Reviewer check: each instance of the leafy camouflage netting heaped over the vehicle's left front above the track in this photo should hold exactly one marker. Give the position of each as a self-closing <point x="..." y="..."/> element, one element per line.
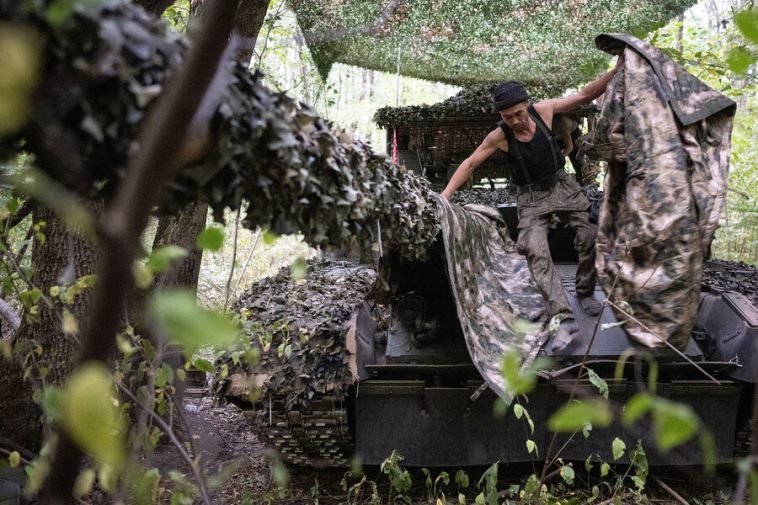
<point x="300" y="327"/>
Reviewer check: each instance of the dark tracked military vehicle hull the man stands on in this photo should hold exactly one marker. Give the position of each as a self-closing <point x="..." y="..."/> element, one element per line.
<point x="412" y="386"/>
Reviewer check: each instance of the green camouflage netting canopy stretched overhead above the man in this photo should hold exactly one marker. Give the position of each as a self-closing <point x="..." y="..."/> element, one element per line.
<point x="541" y="43"/>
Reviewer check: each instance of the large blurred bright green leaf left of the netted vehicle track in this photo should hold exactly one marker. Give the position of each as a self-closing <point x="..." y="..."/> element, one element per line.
<point x="188" y="325"/>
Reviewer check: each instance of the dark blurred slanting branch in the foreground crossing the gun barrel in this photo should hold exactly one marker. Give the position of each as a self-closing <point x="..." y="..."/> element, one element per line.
<point x="160" y="141"/>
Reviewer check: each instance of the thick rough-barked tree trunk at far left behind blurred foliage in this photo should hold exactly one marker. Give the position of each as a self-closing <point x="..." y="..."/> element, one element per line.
<point x="58" y="260"/>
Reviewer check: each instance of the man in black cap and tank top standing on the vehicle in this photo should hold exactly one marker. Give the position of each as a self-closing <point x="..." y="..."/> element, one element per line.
<point x="535" y="163"/>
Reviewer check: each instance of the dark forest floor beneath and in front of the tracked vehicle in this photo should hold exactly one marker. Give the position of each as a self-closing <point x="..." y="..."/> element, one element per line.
<point x="222" y="436"/>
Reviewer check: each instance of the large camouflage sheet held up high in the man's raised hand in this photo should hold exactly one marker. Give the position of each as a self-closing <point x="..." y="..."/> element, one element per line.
<point x="666" y="138"/>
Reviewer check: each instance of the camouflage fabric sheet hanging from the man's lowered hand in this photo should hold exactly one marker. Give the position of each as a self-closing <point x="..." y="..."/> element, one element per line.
<point x="492" y="288"/>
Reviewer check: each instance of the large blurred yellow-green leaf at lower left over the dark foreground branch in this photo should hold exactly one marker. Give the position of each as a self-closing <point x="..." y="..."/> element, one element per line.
<point x="90" y="417"/>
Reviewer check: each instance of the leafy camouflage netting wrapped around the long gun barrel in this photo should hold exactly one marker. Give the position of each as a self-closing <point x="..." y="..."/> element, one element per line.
<point x="104" y="66"/>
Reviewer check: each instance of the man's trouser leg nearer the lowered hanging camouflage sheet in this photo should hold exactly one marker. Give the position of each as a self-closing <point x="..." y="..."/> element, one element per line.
<point x="532" y="243"/>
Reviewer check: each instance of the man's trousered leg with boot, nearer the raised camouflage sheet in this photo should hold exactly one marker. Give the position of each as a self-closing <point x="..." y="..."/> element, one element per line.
<point x="586" y="273"/>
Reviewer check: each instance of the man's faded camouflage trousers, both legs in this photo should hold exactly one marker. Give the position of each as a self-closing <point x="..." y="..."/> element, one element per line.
<point x="532" y="243"/>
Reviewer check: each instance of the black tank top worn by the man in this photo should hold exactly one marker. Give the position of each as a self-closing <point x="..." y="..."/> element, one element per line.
<point x="541" y="155"/>
